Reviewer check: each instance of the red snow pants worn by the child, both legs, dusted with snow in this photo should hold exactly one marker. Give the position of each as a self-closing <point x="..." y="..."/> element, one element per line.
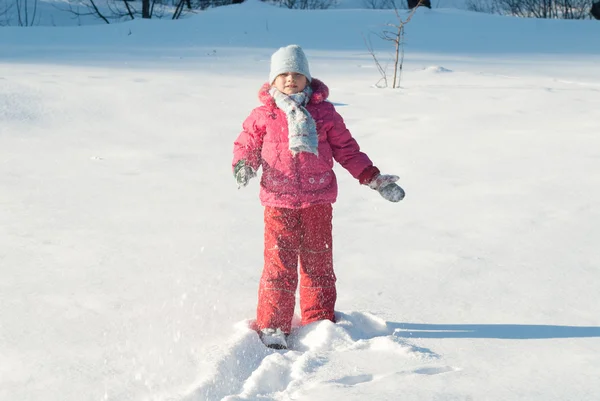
<point x="297" y="237"/>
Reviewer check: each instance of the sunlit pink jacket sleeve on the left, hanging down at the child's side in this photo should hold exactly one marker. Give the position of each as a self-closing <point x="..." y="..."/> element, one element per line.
<point x="248" y="145"/>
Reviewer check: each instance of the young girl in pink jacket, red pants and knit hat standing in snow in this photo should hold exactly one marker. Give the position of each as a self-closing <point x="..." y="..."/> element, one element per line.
<point x="295" y="136"/>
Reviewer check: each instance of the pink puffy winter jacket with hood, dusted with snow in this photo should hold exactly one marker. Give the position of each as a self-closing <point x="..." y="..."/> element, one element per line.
<point x="306" y="179"/>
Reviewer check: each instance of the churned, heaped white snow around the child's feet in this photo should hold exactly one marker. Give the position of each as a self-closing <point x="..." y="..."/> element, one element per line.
<point x="325" y="357"/>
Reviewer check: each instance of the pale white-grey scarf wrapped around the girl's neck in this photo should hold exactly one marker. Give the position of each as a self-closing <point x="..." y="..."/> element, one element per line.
<point x="302" y="129"/>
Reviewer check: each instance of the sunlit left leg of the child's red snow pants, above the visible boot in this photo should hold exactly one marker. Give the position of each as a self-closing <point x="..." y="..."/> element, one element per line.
<point x="277" y="290"/>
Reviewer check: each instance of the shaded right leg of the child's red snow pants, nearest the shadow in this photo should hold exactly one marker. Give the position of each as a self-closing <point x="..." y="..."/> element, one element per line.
<point x="317" y="279"/>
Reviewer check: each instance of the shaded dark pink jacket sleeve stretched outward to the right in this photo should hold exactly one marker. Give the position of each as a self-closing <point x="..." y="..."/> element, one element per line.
<point x="345" y="148"/>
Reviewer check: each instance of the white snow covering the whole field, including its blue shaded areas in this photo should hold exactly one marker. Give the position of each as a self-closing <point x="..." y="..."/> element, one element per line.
<point x="129" y="260"/>
